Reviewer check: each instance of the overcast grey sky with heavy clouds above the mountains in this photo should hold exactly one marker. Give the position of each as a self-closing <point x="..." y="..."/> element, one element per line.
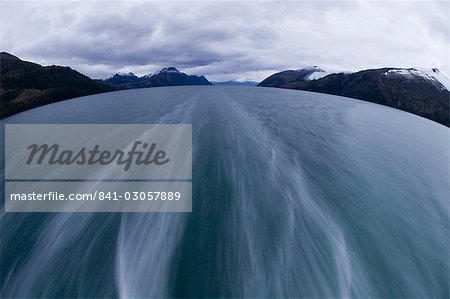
<point x="227" y="40"/>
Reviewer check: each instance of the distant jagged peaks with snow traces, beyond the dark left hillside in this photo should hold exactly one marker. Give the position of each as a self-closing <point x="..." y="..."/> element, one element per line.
<point x="169" y="76"/>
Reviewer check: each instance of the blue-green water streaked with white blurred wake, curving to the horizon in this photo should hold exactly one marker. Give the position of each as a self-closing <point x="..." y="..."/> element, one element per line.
<point x="295" y="194"/>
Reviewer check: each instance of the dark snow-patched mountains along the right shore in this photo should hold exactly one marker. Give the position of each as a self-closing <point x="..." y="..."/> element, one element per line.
<point x="417" y="91"/>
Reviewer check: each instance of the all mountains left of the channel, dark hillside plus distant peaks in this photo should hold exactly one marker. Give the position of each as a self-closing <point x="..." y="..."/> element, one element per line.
<point x="25" y="85"/>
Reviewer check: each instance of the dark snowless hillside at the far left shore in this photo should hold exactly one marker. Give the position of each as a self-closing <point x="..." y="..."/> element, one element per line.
<point x="25" y="85"/>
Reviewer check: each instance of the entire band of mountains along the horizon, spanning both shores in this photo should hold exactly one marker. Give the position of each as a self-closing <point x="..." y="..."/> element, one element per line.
<point x="25" y="85"/>
